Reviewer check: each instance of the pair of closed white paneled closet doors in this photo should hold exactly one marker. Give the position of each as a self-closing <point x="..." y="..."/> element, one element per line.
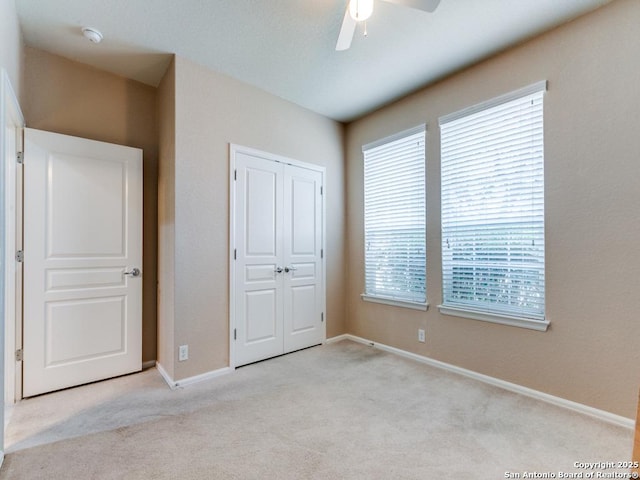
<point x="278" y="277"/>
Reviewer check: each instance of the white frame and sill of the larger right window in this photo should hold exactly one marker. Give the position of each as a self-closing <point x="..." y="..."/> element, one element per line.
<point x="467" y="310"/>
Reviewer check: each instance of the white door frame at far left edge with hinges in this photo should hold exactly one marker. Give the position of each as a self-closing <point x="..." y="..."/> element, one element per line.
<point x="10" y="382"/>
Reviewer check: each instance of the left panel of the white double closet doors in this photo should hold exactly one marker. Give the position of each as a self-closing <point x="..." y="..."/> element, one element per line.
<point x="258" y="263"/>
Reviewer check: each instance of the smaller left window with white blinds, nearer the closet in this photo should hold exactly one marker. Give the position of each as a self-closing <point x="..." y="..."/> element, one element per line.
<point x="394" y="219"/>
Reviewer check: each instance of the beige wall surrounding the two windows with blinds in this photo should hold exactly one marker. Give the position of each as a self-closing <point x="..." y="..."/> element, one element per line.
<point x="592" y="169"/>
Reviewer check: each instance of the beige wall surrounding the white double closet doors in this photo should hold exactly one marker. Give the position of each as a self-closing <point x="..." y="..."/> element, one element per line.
<point x="212" y="111"/>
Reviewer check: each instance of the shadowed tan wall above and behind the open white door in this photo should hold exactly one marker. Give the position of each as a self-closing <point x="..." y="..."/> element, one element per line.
<point x="71" y="98"/>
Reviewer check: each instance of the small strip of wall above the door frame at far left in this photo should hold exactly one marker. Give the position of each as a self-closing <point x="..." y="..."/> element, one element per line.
<point x="11" y="44"/>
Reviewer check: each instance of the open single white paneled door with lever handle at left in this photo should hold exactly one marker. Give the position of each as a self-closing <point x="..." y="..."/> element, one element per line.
<point x="82" y="260"/>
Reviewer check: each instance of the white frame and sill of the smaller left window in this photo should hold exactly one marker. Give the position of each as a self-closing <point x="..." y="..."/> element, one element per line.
<point x="370" y="296"/>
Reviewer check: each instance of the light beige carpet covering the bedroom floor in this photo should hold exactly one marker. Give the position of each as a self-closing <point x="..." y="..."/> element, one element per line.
<point x="337" y="411"/>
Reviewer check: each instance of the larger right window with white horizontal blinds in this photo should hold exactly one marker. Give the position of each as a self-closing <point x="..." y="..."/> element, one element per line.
<point x="492" y="188"/>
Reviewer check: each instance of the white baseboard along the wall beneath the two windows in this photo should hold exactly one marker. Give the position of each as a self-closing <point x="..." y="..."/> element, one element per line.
<point x="496" y="382"/>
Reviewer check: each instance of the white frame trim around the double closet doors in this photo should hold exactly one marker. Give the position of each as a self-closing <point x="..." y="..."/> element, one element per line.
<point x="235" y="149"/>
